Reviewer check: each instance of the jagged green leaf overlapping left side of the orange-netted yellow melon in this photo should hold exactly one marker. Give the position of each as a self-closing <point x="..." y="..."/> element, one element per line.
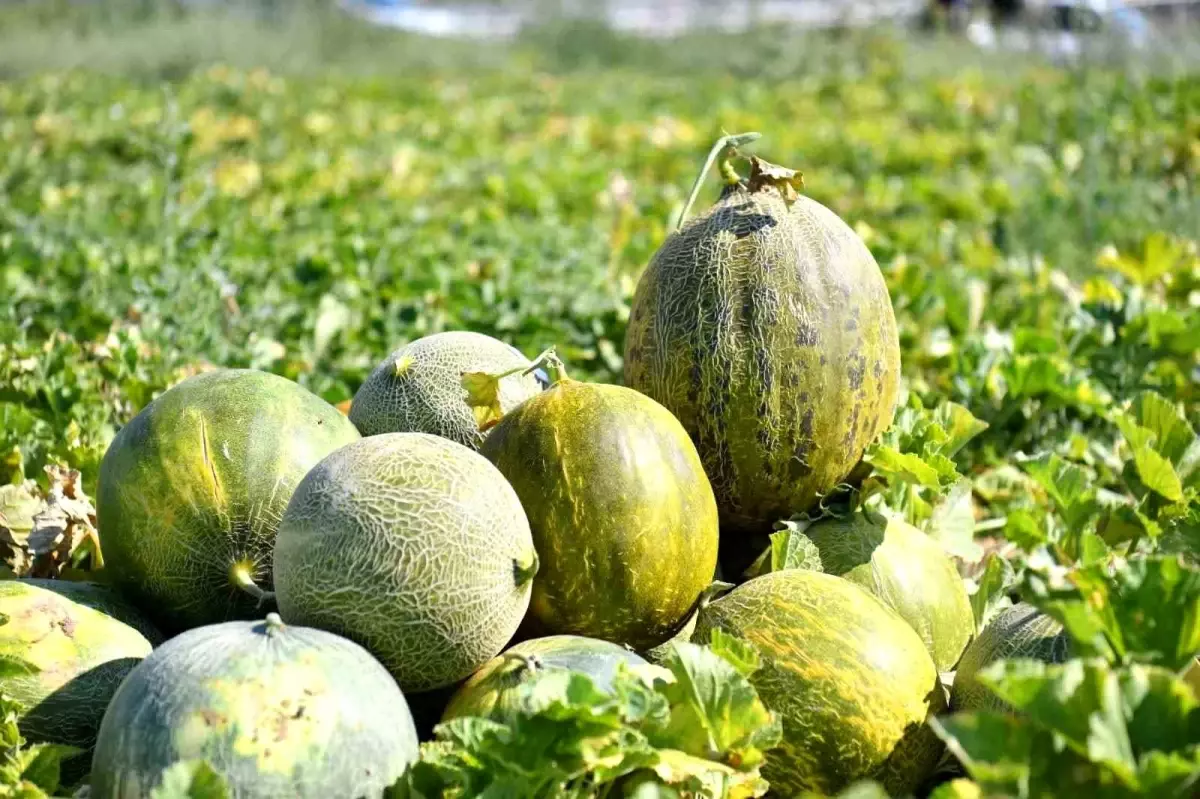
<point x="715" y="710"/>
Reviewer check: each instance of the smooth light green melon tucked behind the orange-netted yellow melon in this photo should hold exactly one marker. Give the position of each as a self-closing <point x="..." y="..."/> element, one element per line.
<point x="905" y="569"/>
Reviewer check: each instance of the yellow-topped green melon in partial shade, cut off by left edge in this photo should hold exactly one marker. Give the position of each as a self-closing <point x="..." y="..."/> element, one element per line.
<point x="83" y="639"/>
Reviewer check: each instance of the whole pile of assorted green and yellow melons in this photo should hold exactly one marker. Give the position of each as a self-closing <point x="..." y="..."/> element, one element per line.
<point x="479" y="516"/>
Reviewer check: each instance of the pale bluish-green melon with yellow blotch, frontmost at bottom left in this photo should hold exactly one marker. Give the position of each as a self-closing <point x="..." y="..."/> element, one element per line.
<point x="277" y="711"/>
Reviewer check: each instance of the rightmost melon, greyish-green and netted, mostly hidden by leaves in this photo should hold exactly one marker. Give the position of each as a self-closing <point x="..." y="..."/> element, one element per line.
<point x="1017" y="632"/>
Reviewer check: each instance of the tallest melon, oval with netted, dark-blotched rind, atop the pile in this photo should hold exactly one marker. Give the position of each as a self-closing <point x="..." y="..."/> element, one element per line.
<point x="769" y="332"/>
